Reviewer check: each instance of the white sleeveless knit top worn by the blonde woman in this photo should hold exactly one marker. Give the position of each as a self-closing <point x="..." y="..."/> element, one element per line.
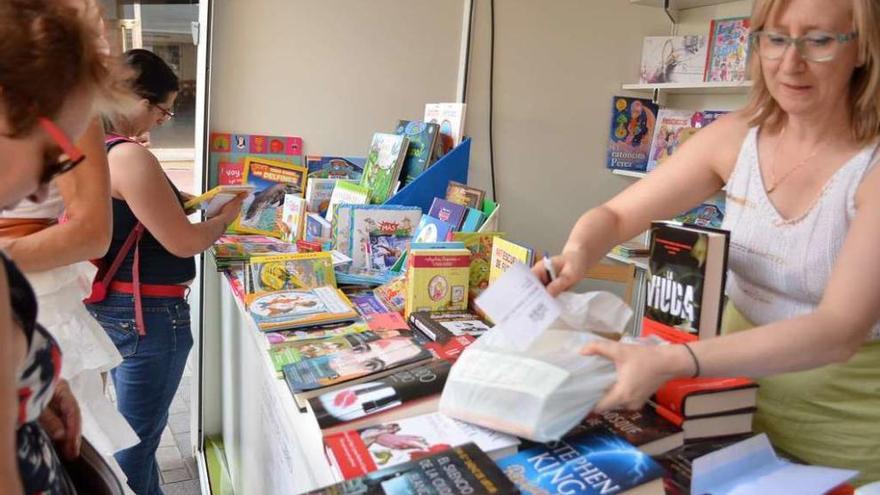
<point x="778" y="268"/>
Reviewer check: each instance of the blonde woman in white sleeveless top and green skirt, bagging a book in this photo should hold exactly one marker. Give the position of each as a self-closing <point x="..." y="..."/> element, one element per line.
<point x="803" y="208"/>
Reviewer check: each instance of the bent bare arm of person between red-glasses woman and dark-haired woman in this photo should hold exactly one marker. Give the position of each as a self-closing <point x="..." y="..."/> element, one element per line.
<point x="86" y="194"/>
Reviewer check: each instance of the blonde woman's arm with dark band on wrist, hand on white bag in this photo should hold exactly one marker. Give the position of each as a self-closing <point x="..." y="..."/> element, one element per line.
<point x="832" y="333"/>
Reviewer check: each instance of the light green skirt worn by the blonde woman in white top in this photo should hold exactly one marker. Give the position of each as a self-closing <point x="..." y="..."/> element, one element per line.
<point x="826" y="416"/>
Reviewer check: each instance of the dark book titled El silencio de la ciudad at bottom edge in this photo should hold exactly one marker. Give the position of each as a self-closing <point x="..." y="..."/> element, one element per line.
<point x="464" y="470"/>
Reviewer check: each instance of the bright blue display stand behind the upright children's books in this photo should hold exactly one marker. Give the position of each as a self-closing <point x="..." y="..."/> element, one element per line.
<point x="432" y="182"/>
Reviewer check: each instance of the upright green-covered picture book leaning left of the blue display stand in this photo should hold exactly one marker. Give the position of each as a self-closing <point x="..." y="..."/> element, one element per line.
<point x="384" y="162"/>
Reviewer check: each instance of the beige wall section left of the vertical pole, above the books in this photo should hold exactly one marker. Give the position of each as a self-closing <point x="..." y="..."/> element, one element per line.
<point x="331" y="71"/>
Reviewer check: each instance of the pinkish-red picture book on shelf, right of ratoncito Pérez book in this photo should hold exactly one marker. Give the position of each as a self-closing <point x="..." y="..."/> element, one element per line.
<point x="673" y="128"/>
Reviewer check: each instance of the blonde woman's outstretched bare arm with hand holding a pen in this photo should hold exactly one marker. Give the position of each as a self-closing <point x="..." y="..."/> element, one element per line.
<point x="697" y="171"/>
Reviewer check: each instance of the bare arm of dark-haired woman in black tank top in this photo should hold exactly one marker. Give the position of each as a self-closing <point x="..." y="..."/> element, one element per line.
<point x="137" y="178"/>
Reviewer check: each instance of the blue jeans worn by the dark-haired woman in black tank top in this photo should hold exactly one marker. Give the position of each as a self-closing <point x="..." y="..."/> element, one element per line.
<point x="149" y="375"/>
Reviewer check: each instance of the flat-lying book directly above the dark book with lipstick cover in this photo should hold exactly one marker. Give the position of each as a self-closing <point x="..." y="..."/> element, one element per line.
<point x="354" y="358"/>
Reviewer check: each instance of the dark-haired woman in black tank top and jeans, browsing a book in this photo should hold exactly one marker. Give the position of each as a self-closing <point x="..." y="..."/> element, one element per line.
<point x="146" y="313"/>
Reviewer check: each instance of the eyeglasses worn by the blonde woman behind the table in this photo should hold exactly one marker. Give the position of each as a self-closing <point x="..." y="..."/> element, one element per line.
<point x="815" y="46"/>
